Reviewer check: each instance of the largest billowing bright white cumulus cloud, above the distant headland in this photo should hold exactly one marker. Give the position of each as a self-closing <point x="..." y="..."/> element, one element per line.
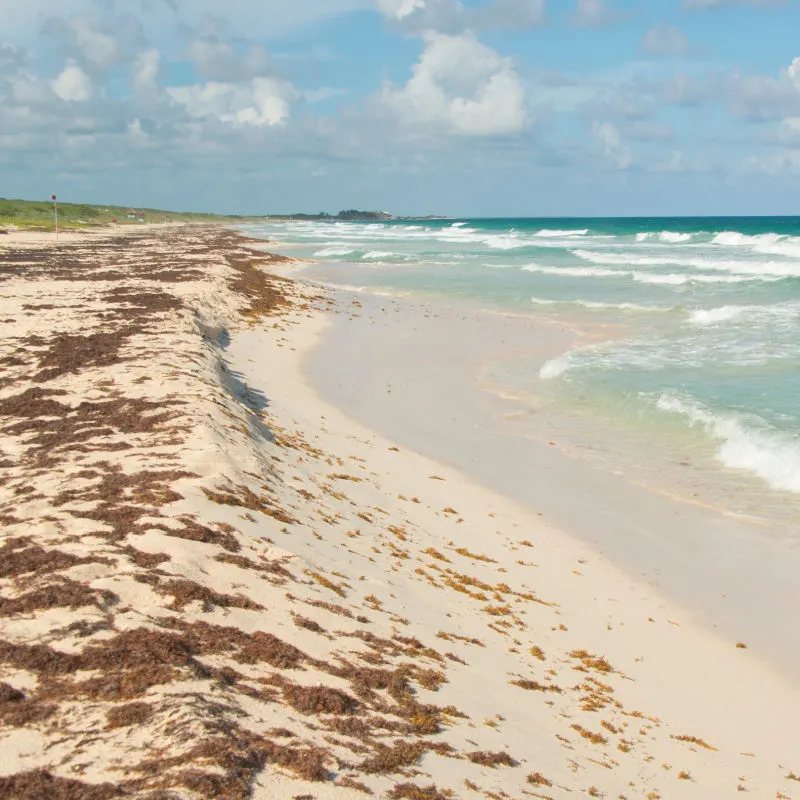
<point x="459" y="86"/>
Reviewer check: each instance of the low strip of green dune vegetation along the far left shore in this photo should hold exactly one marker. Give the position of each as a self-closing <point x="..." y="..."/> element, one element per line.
<point x="39" y="215"/>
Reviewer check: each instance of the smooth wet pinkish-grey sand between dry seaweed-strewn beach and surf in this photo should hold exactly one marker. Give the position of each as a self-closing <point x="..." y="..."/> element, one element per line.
<point x="730" y="571"/>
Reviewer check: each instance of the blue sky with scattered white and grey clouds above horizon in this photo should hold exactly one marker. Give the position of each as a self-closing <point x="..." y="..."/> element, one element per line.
<point x="452" y="107"/>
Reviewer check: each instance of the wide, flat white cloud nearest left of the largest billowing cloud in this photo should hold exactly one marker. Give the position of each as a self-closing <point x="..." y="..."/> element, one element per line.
<point x="260" y="102"/>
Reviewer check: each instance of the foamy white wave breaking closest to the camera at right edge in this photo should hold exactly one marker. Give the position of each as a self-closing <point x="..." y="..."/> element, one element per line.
<point x="746" y="443"/>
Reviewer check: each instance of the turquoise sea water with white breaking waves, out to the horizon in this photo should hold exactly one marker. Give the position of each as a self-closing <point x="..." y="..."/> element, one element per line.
<point x="705" y="314"/>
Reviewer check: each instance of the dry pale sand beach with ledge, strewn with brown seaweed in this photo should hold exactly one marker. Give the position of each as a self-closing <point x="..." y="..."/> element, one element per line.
<point x="213" y="584"/>
